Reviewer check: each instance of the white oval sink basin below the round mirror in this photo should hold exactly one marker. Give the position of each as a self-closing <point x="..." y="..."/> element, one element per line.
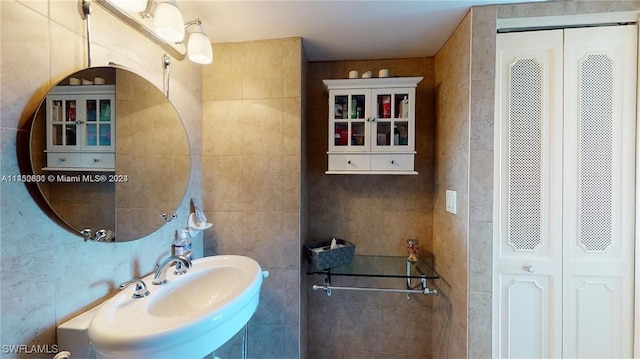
<point x="190" y="316"/>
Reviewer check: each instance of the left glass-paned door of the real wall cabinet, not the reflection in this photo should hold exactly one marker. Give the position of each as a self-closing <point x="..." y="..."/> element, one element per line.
<point x="349" y="122"/>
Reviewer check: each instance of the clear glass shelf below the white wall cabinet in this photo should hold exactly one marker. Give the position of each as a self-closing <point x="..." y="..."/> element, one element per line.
<point x="380" y="266"/>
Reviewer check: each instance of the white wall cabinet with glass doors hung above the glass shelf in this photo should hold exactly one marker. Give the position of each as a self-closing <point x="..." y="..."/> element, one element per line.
<point x="372" y="125"/>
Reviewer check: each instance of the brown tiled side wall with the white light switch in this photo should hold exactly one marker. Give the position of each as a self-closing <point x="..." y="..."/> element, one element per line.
<point x="450" y="240"/>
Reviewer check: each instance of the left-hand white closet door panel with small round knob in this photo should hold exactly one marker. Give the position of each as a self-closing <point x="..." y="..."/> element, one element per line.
<point x="528" y="255"/>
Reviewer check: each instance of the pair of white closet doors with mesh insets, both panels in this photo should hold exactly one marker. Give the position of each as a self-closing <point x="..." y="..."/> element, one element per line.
<point x="563" y="259"/>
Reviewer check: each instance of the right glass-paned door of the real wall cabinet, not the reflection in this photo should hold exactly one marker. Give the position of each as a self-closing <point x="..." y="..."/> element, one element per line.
<point x="391" y="130"/>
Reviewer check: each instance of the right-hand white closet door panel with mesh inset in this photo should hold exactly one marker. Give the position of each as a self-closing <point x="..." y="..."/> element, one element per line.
<point x="599" y="191"/>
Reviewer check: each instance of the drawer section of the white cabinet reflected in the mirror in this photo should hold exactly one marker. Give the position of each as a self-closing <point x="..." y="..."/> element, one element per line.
<point x="81" y="161"/>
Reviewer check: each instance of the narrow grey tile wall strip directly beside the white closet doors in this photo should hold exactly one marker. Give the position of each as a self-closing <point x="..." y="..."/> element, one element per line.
<point x="481" y="179"/>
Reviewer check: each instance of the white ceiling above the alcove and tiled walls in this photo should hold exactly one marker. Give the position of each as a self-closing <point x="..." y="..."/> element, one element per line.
<point x="337" y="30"/>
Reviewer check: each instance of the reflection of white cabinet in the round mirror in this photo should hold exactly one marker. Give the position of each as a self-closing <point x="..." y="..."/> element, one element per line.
<point x="80" y="127"/>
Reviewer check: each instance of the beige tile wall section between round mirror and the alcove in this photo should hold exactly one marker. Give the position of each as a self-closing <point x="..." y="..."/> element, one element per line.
<point x="252" y="153"/>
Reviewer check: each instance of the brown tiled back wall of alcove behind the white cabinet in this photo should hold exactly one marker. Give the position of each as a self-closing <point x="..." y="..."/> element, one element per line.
<point x="377" y="213"/>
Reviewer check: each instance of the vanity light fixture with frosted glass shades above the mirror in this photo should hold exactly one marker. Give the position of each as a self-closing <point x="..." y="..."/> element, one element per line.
<point x="162" y="22"/>
